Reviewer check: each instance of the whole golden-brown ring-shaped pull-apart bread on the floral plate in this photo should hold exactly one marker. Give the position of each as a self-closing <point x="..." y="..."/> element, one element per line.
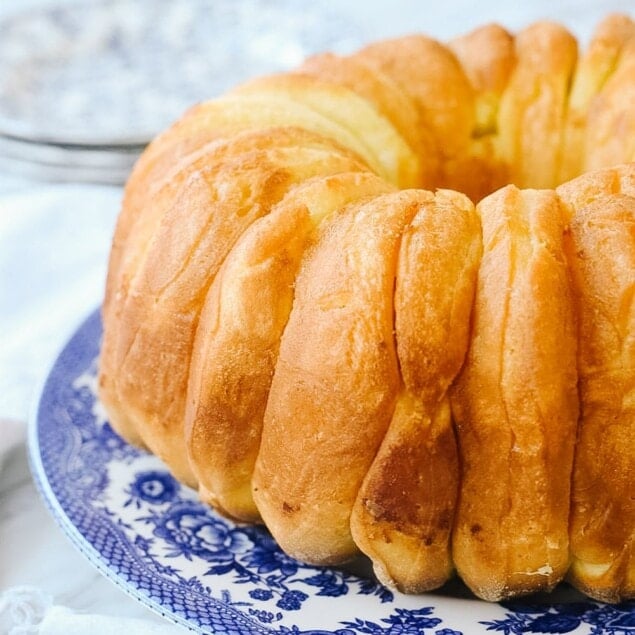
<point x="444" y="381"/>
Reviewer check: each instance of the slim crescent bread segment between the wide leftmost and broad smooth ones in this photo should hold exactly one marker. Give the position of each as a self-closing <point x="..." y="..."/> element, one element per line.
<point x="237" y="340"/>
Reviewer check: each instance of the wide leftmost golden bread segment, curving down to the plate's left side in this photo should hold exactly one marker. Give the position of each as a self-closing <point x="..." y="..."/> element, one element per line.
<point x="154" y="331"/>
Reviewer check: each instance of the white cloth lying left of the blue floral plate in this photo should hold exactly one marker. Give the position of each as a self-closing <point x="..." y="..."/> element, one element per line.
<point x="54" y="244"/>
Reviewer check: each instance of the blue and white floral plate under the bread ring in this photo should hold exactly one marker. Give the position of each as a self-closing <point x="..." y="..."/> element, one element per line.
<point x="151" y="536"/>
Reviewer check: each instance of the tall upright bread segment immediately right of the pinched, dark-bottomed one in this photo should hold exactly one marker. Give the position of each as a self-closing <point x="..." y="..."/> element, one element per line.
<point x="515" y="403"/>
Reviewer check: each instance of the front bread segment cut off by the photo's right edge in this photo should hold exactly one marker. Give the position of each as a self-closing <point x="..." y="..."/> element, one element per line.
<point x="601" y="252"/>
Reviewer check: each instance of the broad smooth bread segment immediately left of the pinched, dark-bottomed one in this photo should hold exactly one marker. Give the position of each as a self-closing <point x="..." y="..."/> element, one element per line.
<point x="335" y="383"/>
